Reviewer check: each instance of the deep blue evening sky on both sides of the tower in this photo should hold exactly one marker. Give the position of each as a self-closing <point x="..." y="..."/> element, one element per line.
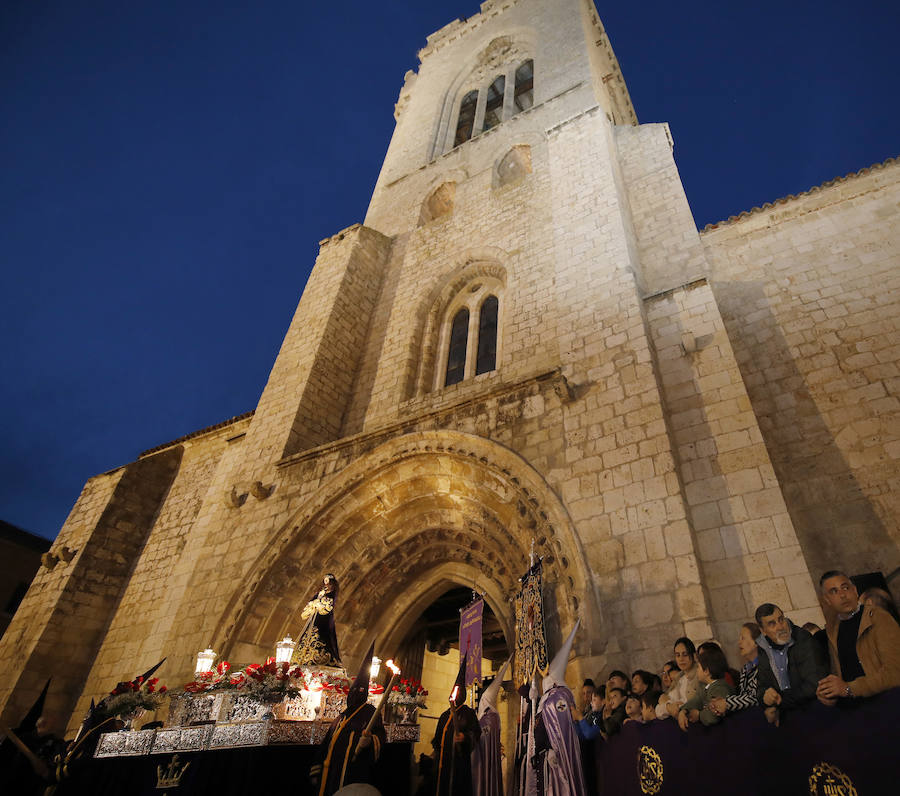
<point x="168" y="168"/>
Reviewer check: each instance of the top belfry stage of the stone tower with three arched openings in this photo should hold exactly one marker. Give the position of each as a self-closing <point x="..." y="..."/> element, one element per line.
<point x="480" y="73"/>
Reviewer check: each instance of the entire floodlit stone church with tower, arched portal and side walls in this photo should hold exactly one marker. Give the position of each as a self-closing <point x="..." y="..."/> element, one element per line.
<point x="526" y="340"/>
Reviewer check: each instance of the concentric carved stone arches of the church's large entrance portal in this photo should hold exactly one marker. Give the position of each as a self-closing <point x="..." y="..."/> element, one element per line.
<point x="421" y="511"/>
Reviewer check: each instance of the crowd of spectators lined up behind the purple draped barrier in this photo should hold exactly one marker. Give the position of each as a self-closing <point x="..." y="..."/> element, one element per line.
<point x="782" y="667"/>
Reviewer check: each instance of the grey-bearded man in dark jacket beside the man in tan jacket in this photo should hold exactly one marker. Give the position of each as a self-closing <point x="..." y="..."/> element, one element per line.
<point x="791" y="663"/>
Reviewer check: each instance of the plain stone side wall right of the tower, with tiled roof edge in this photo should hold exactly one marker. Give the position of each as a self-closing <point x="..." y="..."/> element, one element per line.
<point x="809" y="290"/>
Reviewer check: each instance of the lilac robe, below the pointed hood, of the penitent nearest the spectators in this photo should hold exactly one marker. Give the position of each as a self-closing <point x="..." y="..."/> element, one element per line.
<point x="564" y="776"/>
